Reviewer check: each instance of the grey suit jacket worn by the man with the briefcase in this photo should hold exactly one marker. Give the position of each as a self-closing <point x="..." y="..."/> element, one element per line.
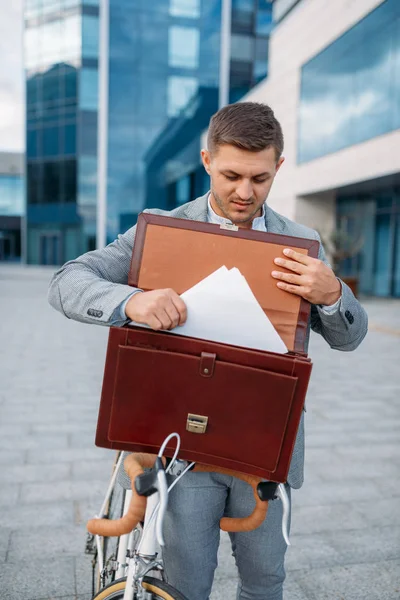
<point x="92" y="287"/>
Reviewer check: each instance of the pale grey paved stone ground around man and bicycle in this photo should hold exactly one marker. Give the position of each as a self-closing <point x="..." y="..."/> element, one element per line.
<point x="346" y="518"/>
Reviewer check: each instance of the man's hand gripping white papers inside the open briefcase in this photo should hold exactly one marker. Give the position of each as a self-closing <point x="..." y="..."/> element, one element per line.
<point x="159" y="309"/>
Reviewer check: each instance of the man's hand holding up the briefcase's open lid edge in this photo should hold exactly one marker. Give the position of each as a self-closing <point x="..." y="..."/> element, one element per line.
<point x="311" y="279"/>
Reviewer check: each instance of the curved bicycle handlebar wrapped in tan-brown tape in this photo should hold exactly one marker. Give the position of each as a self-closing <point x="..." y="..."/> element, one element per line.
<point x="136" y="463"/>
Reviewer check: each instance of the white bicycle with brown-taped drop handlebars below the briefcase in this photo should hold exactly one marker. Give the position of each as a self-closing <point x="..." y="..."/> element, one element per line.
<point x="129" y="566"/>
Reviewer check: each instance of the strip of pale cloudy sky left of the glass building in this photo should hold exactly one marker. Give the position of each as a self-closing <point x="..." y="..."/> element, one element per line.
<point x="12" y="94"/>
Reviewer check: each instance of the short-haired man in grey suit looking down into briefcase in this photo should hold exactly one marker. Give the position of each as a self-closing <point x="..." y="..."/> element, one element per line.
<point x="245" y="145"/>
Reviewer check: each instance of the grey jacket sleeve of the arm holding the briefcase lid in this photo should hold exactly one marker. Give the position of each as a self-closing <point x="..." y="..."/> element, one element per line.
<point x="346" y="328"/>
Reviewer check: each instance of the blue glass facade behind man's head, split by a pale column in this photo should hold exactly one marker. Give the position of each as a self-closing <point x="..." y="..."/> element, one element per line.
<point x="164" y="77"/>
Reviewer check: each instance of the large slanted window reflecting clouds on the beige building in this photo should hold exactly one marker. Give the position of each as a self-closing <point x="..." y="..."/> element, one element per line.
<point x="350" y="92"/>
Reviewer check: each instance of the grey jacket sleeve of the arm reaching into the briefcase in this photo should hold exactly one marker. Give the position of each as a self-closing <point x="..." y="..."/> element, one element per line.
<point x="92" y="287"/>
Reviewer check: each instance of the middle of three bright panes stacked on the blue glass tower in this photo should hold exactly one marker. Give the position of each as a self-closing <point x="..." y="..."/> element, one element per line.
<point x="184" y="47"/>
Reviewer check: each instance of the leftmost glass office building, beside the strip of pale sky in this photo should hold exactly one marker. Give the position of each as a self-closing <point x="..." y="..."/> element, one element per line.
<point x="61" y="63"/>
